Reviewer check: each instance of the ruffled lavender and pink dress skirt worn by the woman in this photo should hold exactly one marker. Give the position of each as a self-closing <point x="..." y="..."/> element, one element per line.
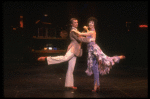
<point x="107" y="62"/>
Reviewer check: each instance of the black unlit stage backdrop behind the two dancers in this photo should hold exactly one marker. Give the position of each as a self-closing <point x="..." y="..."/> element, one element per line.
<point x="112" y="34"/>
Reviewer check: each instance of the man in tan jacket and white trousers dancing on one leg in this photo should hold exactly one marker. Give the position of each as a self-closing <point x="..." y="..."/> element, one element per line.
<point x="74" y="50"/>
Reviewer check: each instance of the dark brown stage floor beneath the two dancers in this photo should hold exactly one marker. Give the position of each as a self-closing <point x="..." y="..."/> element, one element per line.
<point x="38" y="80"/>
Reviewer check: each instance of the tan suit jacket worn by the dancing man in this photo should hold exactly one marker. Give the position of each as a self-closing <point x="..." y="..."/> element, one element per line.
<point x="75" y="44"/>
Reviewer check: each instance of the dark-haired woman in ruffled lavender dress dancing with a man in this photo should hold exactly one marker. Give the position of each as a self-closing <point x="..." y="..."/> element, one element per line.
<point x="97" y="61"/>
